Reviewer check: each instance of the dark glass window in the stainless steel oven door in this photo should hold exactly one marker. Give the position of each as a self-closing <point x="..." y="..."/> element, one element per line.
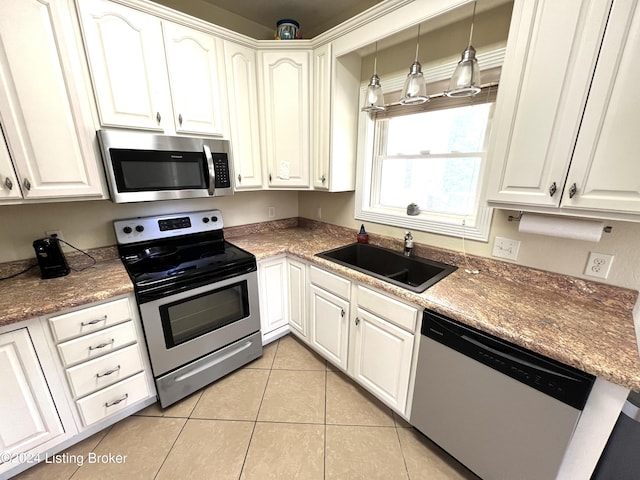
<point x="195" y="316"/>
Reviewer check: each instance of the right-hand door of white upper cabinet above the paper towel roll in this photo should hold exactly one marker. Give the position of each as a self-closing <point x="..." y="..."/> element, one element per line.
<point x="605" y="167"/>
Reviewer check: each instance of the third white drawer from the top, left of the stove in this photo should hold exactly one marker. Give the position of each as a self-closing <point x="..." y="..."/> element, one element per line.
<point x="107" y="370"/>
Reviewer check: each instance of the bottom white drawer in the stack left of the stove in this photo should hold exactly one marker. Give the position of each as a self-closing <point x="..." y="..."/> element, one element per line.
<point x="112" y="399"/>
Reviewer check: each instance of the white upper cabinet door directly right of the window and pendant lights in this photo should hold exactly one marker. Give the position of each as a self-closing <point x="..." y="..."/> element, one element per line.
<point x="550" y="59"/>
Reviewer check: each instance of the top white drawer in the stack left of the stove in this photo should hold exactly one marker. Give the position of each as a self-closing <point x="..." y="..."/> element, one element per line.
<point x="89" y="319"/>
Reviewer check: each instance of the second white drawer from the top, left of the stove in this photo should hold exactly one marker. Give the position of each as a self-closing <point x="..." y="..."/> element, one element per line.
<point x="97" y="344"/>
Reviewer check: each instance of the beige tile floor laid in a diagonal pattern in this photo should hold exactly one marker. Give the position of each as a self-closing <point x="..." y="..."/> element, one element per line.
<point x="287" y="415"/>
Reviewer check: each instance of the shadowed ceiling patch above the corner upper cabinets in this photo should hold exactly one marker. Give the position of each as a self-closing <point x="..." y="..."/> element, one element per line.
<point x="314" y="17"/>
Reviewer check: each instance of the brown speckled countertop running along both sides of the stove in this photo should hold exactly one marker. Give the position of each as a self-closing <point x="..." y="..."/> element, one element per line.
<point x="584" y="324"/>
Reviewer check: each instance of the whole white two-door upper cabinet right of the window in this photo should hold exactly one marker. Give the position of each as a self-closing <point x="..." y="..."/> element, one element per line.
<point x="566" y="124"/>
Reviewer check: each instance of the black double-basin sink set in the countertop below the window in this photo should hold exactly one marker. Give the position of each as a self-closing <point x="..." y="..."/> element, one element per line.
<point x="413" y="273"/>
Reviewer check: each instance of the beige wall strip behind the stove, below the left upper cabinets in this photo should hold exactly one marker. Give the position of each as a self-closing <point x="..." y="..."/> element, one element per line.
<point x="90" y="224"/>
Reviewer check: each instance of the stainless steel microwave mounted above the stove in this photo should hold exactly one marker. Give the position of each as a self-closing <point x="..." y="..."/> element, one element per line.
<point x="142" y="167"/>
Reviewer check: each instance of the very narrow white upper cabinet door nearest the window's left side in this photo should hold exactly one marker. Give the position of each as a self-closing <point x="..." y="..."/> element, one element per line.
<point x="321" y="117"/>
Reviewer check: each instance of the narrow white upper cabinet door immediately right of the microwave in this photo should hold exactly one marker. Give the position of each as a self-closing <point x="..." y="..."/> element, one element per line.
<point x="242" y="89"/>
